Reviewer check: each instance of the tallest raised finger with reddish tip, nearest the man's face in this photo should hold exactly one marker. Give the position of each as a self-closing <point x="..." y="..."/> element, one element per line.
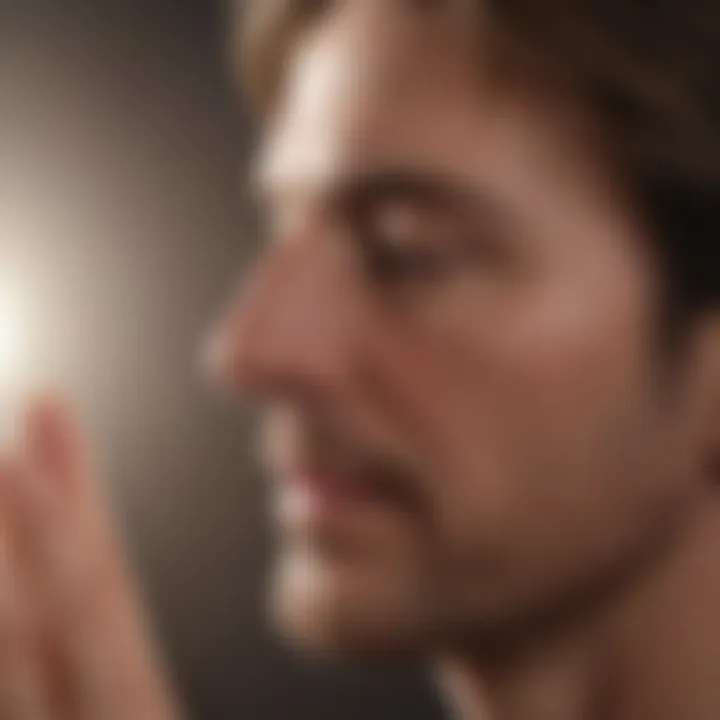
<point x="77" y="569"/>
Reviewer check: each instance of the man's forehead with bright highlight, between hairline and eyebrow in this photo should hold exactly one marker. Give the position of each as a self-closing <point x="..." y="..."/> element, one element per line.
<point x="380" y="84"/>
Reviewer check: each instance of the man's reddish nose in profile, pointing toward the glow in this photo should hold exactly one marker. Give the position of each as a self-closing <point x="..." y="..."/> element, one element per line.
<point x="290" y="331"/>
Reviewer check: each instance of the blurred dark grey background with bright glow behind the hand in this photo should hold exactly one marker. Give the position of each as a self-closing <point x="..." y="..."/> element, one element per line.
<point x="122" y="232"/>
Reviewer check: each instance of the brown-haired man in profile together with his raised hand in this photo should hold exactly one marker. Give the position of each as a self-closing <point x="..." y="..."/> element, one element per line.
<point x="484" y="331"/>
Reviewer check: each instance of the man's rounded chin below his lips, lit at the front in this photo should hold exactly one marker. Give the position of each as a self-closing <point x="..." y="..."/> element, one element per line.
<point x="343" y="610"/>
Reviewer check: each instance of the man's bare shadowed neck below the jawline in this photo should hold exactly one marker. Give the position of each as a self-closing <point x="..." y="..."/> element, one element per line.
<point x="653" y="651"/>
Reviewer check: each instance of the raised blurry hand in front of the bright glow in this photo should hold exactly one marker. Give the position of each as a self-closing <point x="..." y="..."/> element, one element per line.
<point x="72" y="640"/>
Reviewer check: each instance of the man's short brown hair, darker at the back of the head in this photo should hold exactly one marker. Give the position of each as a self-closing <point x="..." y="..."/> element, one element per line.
<point x="648" y="69"/>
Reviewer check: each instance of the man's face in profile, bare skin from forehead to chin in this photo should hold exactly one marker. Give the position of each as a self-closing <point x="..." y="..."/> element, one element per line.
<point x="451" y="331"/>
